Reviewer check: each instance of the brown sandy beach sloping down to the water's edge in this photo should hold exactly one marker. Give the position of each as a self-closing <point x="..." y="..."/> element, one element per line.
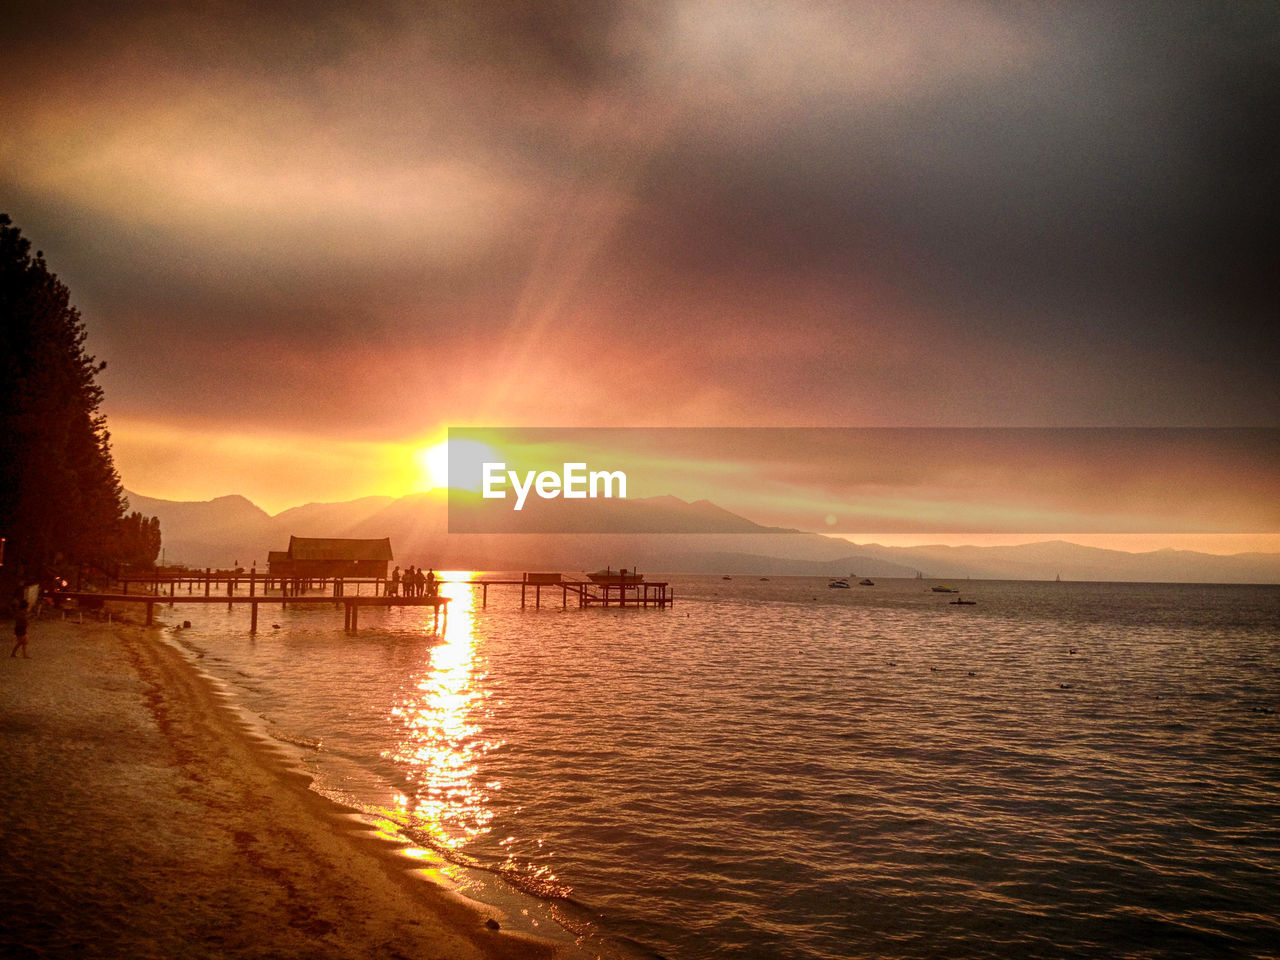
<point x="140" y="819"/>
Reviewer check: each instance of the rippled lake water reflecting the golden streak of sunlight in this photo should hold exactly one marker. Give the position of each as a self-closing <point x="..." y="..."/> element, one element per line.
<point x="780" y="770"/>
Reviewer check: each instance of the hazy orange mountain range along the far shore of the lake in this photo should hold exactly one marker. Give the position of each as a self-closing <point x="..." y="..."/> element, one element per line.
<point x="234" y="532"/>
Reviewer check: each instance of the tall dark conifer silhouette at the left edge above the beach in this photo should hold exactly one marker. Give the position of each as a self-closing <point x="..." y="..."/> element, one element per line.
<point x="61" y="499"/>
